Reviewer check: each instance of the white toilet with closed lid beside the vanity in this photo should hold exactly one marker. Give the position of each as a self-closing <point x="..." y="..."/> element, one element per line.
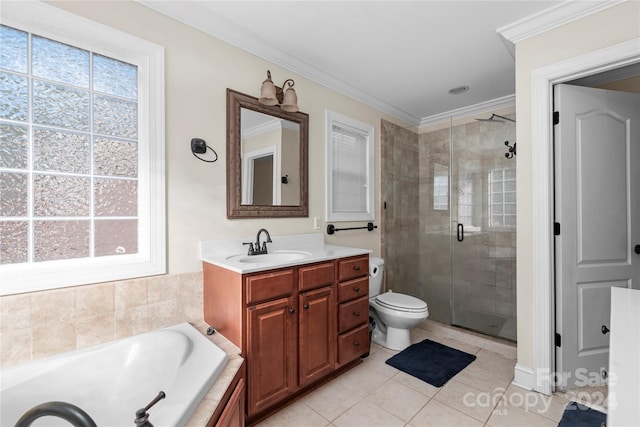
<point x="393" y="313"/>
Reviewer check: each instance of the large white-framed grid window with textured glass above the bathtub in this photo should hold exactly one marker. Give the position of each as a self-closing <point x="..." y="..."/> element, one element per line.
<point x="81" y="152"/>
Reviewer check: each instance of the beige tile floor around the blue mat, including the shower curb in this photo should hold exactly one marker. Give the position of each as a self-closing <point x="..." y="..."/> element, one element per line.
<point x="376" y="394"/>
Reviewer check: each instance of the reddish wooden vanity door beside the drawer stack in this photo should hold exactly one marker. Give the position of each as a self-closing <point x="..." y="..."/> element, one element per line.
<point x="317" y="334"/>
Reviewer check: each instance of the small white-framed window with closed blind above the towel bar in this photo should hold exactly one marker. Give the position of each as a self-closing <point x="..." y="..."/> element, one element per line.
<point x="350" y="173"/>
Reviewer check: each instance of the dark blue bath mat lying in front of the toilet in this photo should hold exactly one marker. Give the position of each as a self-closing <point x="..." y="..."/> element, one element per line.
<point x="431" y="361"/>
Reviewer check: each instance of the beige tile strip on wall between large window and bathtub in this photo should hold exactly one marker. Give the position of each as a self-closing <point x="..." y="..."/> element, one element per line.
<point x="41" y="324"/>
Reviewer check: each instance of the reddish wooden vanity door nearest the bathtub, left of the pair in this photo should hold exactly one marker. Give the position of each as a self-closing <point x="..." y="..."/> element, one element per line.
<point x="271" y="352"/>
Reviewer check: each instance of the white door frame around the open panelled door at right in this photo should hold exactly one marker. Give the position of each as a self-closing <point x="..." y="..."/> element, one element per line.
<point x="541" y="378"/>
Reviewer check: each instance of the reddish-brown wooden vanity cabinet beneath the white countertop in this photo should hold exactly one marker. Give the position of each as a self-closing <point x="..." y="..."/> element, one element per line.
<point x="289" y="324"/>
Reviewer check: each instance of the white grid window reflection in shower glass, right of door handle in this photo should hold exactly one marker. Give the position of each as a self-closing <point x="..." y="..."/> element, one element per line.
<point x="502" y="198"/>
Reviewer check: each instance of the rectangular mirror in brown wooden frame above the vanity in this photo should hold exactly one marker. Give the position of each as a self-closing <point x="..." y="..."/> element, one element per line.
<point x="267" y="160"/>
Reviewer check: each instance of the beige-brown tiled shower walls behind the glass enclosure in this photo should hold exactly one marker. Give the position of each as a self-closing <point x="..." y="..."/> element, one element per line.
<point x="416" y="238"/>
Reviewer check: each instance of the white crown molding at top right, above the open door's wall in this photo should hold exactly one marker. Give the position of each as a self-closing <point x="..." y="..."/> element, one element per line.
<point x="553" y="17"/>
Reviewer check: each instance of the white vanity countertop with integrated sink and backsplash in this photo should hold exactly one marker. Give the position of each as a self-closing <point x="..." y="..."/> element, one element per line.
<point x="226" y="253"/>
